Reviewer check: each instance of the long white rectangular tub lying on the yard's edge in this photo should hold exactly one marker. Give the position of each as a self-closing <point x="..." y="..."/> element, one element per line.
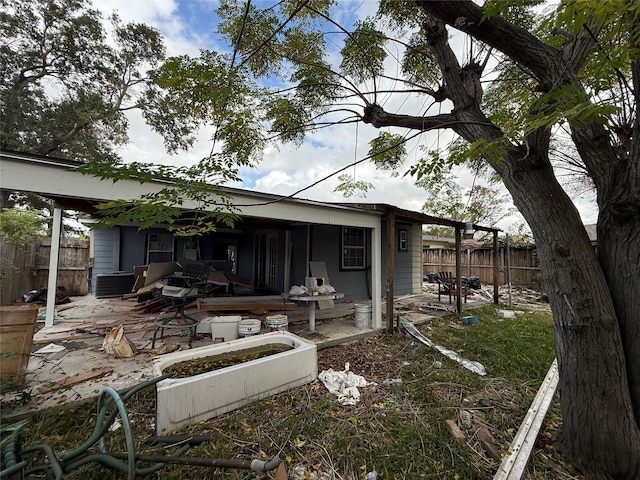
<point x="184" y="401"/>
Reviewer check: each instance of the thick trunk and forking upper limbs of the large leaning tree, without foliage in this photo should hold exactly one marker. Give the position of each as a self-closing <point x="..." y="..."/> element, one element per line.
<point x="594" y="300"/>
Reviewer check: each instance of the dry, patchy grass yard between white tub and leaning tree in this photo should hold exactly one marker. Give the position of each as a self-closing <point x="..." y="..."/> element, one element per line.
<point x="400" y="431"/>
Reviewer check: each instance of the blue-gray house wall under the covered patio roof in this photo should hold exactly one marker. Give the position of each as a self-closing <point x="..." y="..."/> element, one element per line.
<point x="121" y="249"/>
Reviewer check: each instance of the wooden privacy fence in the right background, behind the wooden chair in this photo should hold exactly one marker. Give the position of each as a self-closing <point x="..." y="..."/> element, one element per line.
<point x="525" y="269"/>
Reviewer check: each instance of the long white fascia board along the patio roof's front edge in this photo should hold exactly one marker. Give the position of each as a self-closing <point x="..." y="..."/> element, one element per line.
<point x="55" y="179"/>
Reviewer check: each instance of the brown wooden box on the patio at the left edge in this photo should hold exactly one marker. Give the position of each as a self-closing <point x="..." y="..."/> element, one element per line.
<point x="17" y="324"/>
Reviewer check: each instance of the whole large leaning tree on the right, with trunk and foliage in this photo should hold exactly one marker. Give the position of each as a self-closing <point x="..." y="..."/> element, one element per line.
<point x="521" y="74"/>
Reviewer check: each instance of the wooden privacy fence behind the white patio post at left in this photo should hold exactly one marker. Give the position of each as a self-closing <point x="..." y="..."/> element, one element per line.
<point x="26" y="267"/>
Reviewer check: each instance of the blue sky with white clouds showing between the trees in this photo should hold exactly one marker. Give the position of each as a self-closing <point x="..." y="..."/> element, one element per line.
<point x="188" y="26"/>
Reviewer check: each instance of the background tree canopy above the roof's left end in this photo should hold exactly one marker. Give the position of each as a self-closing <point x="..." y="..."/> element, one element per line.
<point x="65" y="86"/>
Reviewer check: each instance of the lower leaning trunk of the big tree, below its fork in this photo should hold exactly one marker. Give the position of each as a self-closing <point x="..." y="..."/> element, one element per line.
<point x="600" y="433"/>
